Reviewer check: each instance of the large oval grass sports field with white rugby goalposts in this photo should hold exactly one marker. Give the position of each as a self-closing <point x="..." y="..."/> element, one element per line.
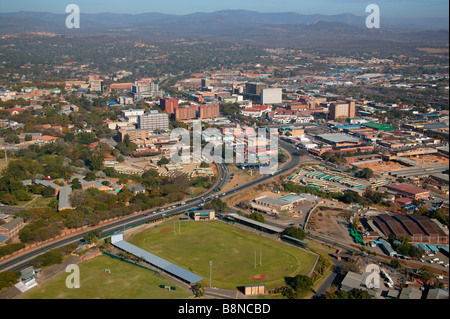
<point x="232" y="251"/>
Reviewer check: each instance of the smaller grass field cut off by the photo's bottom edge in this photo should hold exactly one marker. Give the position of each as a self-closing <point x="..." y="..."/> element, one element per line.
<point x="125" y="281"/>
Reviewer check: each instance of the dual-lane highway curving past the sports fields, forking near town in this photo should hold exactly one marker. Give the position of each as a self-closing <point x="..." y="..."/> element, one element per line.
<point x="22" y="261"/>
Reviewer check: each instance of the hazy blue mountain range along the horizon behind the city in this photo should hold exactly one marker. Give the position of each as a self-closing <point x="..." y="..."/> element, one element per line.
<point x="287" y="28"/>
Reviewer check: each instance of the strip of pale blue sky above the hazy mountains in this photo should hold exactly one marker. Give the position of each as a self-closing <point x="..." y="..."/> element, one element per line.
<point x="388" y="8"/>
